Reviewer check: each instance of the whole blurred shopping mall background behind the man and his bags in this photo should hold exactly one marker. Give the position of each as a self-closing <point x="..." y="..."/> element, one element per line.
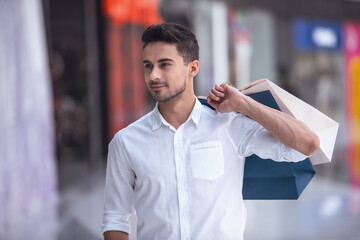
<point x="71" y="76"/>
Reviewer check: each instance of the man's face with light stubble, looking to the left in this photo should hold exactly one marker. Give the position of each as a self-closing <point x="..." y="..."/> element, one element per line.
<point x="166" y="75"/>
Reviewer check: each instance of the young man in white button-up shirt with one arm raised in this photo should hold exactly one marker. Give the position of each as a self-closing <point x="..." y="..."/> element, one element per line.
<point x="180" y="167"/>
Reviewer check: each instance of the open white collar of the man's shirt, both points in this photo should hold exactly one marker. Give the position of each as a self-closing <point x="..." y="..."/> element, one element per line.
<point x="158" y="119"/>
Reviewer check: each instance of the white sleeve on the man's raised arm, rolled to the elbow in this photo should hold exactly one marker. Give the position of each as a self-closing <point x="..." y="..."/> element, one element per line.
<point x="255" y="139"/>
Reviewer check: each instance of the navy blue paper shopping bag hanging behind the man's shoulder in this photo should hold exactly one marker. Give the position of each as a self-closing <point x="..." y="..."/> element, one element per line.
<point x="267" y="179"/>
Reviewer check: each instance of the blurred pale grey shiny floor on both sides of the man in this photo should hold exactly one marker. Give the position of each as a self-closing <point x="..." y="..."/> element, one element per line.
<point x="326" y="210"/>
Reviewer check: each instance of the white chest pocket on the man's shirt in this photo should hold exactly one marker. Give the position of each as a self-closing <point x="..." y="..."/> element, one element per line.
<point x="207" y="161"/>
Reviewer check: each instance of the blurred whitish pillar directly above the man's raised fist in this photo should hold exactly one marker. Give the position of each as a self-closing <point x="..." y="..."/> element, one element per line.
<point x="211" y="29"/>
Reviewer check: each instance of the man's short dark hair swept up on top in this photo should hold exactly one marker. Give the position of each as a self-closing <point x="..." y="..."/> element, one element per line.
<point x="185" y="39"/>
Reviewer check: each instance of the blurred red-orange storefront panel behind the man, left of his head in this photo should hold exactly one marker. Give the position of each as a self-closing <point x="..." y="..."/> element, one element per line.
<point x="127" y="96"/>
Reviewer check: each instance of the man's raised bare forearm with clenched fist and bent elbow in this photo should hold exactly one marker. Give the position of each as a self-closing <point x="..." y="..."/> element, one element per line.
<point x="288" y="130"/>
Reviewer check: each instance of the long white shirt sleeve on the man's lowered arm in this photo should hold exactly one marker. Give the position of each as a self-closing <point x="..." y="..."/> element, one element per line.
<point x="119" y="187"/>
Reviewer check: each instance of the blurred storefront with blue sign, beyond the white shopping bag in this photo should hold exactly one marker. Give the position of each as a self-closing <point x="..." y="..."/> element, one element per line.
<point x="317" y="76"/>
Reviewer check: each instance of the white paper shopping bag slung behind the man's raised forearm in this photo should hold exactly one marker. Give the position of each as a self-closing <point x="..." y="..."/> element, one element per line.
<point x="325" y="127"/>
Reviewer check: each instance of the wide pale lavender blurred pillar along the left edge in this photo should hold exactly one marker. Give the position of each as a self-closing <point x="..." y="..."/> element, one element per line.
<point x="28" y="194"/>
